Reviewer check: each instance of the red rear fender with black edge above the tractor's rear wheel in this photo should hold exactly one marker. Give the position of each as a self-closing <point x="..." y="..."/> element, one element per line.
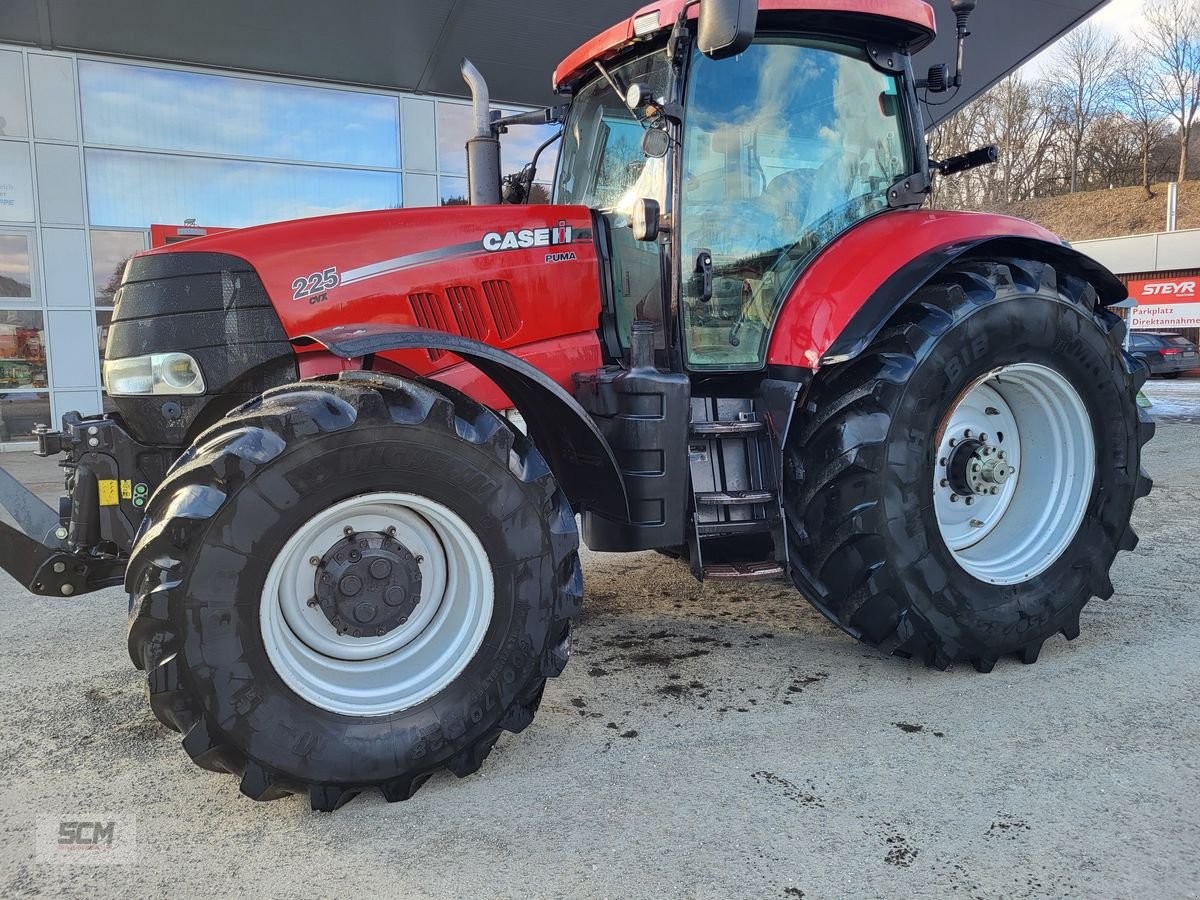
<point x="857" y="284"/>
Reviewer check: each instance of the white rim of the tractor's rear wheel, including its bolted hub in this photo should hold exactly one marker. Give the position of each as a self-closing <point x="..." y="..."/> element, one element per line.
<point x="1006" y="530"/>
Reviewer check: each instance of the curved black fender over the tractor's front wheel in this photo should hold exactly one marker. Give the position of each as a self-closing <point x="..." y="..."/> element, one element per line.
<point x="562" y="430"/>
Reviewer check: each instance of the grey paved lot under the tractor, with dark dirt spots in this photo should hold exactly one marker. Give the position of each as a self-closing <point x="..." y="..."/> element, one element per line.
<point x="715" y="742"/>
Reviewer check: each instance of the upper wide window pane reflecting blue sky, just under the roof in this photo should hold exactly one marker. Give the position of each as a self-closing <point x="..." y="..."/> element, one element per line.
<point x="170" y="110"/>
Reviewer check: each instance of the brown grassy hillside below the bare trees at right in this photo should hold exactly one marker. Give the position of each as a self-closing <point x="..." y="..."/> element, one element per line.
<point x="1109" y="214"/>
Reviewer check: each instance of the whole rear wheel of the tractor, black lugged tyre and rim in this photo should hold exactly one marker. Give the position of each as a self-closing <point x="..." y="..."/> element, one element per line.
<point x="865" y="466"/>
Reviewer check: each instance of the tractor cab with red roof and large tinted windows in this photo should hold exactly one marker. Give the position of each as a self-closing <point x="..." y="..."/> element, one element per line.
<point x="724" y="148"/>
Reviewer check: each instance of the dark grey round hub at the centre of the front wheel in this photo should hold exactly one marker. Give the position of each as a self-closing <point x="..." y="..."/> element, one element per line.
<point x="368" y="585"/>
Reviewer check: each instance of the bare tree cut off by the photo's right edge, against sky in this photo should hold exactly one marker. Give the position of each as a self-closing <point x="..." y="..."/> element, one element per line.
<point x="1171" y="44"/>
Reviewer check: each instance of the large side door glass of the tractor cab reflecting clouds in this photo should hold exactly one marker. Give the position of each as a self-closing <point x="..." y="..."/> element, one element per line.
<point x="787" y="147"/>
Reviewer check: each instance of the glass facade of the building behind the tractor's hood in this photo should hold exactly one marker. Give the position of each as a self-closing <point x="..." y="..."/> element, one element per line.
<point x="94" y="152"/>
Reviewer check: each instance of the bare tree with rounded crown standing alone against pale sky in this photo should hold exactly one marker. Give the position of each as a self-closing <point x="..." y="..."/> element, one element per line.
<point x="1083" y="82"/>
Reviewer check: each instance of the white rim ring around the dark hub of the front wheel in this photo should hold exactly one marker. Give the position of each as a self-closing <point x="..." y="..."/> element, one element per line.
<point x="376" y="675"/>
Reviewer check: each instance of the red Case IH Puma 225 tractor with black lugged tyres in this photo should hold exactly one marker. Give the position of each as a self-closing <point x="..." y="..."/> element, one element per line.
<point x="735" y="338"/>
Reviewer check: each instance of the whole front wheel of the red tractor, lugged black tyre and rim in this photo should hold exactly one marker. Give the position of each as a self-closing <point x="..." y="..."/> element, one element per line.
<point x="215" y="631"/>
